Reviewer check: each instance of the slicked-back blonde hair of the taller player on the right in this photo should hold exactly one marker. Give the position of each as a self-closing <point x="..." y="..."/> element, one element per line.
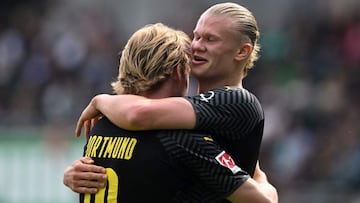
<point x="244" y="23"/>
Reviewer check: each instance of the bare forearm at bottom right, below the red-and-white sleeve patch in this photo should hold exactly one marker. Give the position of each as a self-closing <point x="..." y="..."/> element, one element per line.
<point x="255" y="190"/>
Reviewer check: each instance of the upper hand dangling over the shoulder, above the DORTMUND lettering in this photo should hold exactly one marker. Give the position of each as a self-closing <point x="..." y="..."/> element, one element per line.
<point x="88" y="118"/>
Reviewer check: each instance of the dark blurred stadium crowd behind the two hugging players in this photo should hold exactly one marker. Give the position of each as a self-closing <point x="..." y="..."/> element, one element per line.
<point x="55" y="56"/>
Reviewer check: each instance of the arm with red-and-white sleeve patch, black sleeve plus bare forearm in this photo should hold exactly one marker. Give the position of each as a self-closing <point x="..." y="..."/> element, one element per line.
<point x="214" y="172"/>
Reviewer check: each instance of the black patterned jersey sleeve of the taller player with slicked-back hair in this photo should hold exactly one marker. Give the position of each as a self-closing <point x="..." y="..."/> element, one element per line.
<point x="227" y="112"/>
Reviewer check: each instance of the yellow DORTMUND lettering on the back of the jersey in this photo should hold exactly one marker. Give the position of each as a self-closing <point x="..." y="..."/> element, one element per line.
<point x="110" y="147"/>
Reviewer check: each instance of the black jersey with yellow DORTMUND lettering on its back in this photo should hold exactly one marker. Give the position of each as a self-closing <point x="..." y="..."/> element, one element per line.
<point x="160" y="166"/>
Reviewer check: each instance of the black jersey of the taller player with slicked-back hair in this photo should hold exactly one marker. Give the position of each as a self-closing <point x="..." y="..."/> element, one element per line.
<point x="235" y="119"/>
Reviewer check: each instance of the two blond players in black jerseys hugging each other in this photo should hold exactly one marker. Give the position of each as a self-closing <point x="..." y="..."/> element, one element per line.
<point x="150" y="143"/>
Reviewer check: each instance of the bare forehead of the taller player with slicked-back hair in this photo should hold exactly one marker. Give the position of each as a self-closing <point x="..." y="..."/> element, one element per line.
<point x="215" y="25"/>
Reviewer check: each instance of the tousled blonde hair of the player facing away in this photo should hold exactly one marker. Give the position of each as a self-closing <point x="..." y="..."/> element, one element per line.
<point x="149" y="58"/>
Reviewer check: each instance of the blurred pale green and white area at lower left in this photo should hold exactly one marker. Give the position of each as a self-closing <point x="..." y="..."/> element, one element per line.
<point x="32" y="163"/>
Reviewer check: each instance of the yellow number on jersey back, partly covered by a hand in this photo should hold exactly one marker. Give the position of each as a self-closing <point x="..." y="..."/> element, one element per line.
<point x="112" y="189"/>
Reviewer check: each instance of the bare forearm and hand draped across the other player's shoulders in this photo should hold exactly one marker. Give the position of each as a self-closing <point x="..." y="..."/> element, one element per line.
<point x="133" y="112"/>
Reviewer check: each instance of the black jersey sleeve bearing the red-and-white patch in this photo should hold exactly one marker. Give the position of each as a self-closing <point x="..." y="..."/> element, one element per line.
<point x="214" y="171"/>
